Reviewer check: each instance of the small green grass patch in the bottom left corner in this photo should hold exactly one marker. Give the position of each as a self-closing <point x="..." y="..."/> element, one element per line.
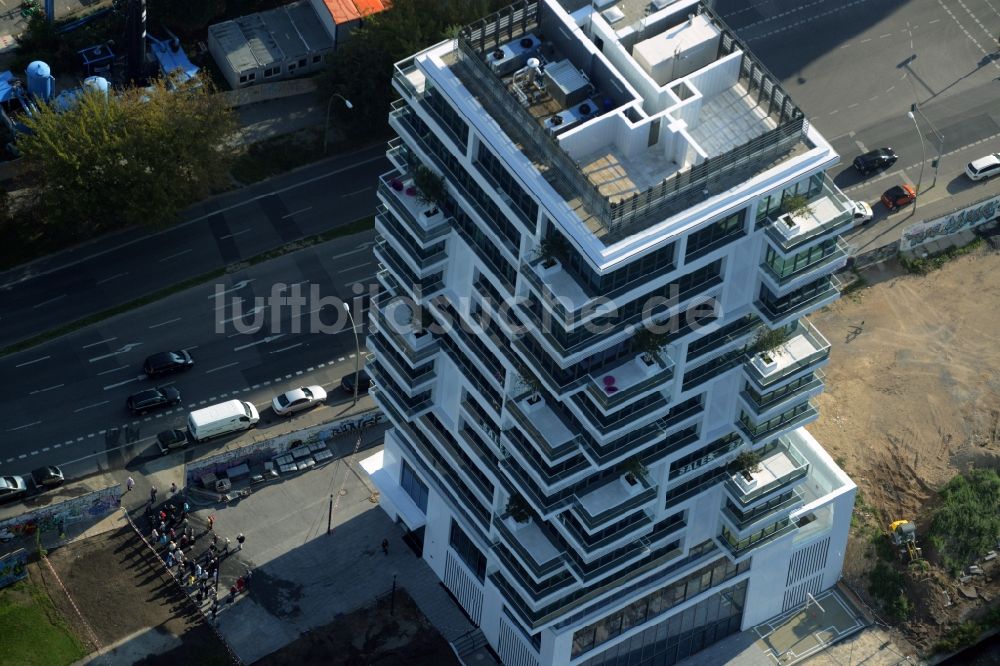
<point x="32" y="630"/>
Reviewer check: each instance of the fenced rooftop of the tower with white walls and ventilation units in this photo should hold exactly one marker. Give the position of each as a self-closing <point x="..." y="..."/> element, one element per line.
<point x="710" y="116"/>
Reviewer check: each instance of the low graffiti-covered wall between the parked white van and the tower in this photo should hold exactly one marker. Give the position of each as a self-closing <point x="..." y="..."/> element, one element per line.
<point x="260" y="452"/>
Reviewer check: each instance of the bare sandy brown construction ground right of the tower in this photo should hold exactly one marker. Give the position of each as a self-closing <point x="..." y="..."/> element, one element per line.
<point x="913" y="398"/>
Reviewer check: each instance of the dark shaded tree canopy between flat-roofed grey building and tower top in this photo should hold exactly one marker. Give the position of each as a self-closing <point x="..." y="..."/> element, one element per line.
<point x="361" y="69"/>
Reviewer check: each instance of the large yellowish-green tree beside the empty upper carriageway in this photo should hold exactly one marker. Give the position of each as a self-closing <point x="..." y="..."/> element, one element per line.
<point x="133" y="158"/>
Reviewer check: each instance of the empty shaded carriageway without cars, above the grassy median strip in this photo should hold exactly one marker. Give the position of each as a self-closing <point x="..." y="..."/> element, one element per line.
<point x="50" y="292"/>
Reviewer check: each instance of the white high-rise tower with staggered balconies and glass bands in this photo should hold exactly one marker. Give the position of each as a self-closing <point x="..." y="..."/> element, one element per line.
<point x="597" y="213"/>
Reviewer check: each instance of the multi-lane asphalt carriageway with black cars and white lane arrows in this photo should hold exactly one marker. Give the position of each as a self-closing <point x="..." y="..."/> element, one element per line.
<point x="65" y="399"/>
